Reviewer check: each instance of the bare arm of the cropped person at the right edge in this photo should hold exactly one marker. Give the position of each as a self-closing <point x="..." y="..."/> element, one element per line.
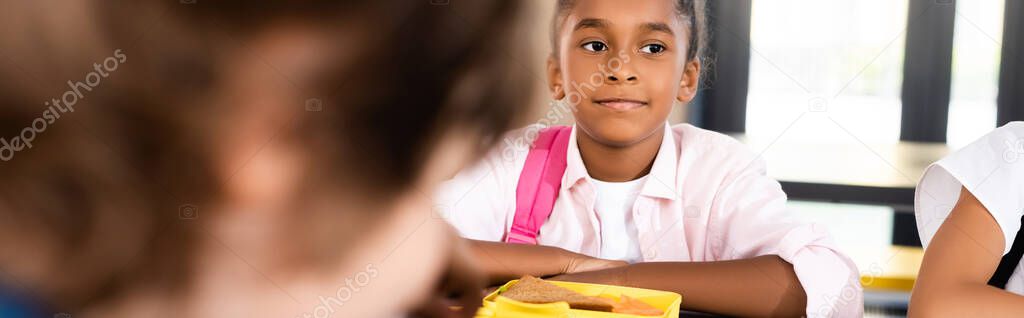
<point x="958" y="264"/>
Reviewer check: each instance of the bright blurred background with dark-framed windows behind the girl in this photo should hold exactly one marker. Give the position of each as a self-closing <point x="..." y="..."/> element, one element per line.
<point x="849" y="102"/>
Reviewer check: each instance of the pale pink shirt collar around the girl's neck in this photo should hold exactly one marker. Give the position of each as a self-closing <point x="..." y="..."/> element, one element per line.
<point x="662" y="183"/>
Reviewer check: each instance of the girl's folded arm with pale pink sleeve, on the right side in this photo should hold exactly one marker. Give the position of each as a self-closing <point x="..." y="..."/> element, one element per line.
<point x="760" y="263"/>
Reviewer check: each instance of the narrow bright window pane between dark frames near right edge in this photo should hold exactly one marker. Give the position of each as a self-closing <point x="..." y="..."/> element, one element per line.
<point x="977" y="46"/>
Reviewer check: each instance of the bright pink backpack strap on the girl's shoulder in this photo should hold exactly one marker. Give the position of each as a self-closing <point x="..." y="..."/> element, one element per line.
<point x="539" y="185"/>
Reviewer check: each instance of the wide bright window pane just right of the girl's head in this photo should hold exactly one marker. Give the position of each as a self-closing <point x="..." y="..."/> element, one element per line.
<point x="827" y="71"/>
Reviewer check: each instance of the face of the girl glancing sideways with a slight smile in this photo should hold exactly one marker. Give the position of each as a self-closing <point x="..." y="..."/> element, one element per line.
<point x="623" y="65"/>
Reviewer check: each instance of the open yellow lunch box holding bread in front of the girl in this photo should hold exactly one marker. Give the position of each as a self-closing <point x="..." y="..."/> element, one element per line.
<point x="496" y="306"/>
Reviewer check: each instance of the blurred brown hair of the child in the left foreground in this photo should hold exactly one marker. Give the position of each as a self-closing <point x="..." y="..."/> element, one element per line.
<point x="95" y="203"/>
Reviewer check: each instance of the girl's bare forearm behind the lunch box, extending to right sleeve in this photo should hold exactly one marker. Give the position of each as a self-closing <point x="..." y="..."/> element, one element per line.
<point x="760" y="287"/>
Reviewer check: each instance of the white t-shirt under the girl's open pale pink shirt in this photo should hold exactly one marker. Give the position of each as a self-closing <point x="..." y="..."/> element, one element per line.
<point x="614" y="205"/>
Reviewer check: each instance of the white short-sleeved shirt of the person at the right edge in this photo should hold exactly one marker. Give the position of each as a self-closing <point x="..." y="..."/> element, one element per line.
<point x="993" y="169"/>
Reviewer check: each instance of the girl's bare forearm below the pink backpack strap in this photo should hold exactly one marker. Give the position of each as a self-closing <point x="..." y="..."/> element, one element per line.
<point x="503" y="262"/>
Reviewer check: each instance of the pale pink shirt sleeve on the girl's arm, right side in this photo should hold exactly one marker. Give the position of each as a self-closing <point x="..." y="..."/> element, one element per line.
<point x="749" y="218"/>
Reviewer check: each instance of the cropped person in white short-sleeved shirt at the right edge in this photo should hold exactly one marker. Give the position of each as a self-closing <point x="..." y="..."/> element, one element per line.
<point x="969" y="208"/>
